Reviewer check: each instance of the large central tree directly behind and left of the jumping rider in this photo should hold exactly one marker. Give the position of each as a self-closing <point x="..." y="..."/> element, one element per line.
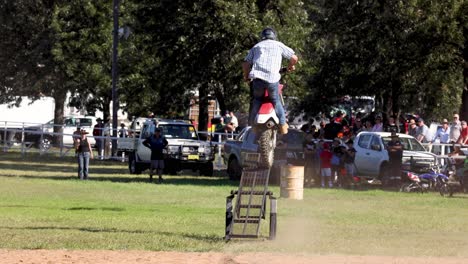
<point x="199" y="45"/>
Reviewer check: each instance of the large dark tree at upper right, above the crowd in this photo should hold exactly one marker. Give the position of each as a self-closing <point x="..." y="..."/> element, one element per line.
<point x="392" y="50"/>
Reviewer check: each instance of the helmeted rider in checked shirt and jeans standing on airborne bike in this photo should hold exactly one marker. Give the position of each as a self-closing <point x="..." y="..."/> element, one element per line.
<point x="262" y="65"/>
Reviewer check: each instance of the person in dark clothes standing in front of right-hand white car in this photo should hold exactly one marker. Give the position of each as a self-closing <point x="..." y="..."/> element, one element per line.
<point x="395" y="157"/>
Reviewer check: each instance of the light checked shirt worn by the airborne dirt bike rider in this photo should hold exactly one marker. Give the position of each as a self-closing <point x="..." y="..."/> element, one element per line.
<point x="265" y="58"/>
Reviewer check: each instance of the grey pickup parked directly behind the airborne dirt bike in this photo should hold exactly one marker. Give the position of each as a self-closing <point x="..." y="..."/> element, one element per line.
<point x="289" y="148"/>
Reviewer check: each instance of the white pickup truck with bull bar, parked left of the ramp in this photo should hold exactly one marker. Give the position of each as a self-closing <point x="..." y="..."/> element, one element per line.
<point x="185" y="149"/>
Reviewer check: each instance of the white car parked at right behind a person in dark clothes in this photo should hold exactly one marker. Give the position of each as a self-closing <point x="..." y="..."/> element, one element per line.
<point x="372" y="156"/>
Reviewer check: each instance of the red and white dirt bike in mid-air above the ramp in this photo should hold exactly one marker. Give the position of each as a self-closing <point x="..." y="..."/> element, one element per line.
<point x="266" y="126"/>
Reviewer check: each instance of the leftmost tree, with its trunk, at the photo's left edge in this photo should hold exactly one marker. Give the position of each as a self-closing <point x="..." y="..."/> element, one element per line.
<point x="28" y="67"/>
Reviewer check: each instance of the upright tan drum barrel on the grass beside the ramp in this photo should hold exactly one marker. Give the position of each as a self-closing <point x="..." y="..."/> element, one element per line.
<point x="292" y="182"/>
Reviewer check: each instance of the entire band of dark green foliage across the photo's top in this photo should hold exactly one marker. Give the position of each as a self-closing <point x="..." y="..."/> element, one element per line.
<point x="410" y="54"/>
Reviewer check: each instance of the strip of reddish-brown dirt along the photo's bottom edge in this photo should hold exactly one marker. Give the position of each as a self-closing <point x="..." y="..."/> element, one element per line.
<point x="143" y="257"/>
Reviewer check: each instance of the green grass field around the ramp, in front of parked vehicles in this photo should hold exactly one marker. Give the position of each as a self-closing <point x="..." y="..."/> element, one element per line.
<point x="43" y="205"/>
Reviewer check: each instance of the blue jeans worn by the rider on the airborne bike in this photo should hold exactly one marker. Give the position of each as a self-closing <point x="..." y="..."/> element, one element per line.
<point x="258" y="93"/>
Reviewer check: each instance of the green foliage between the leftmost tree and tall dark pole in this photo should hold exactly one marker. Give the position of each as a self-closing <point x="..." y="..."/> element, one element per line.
<point x="82" y="49"/>
